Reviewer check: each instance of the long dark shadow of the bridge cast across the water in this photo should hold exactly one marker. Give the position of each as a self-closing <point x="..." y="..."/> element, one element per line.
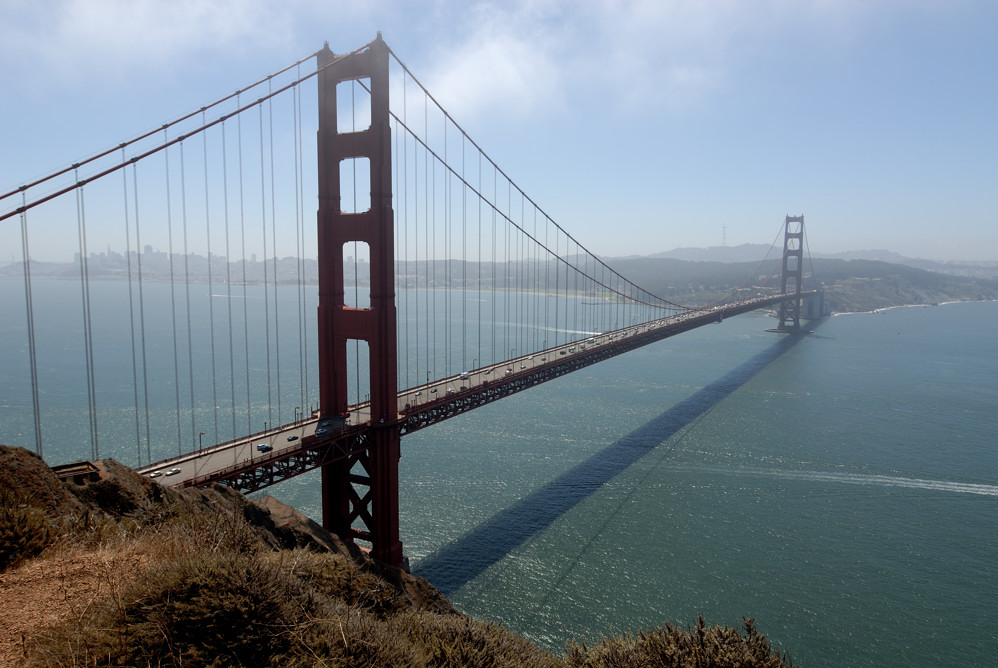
<point x="461" y="561"/>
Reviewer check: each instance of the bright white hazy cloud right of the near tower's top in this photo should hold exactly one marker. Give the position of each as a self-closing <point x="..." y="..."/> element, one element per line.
<point x="531" y="56"/>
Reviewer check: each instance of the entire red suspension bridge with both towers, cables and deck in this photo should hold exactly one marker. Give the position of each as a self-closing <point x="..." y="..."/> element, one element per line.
<point x="438" y="286"/>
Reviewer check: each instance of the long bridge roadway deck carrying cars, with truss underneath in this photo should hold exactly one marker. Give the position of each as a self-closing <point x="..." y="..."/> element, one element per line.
<point x="263" y="459"/>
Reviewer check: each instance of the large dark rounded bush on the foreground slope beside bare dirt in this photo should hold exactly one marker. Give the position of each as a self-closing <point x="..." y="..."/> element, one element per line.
<point x="221" y="609"/>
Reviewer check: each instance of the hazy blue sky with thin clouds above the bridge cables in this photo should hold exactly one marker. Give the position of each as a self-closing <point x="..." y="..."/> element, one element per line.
<point x="639" y="126"/>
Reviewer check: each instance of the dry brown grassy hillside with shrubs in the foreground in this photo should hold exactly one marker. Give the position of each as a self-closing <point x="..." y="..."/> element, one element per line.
<point x="121" y="571"/>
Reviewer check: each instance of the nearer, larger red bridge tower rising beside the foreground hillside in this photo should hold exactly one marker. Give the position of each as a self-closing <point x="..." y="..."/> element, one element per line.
<point x="362" y="487"/>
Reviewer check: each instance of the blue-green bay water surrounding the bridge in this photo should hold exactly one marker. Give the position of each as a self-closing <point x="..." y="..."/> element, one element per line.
<point x="841" y="487"/>
